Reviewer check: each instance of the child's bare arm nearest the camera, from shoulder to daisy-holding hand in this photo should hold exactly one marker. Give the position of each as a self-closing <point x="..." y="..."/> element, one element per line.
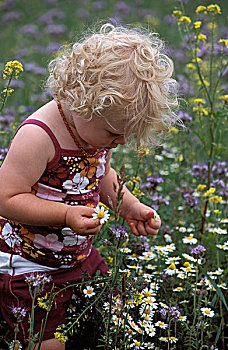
<point x="26" y="161"/>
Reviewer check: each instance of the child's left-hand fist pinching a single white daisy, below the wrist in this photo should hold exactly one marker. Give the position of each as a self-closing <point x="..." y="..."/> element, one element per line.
<point x="80" y="220"/>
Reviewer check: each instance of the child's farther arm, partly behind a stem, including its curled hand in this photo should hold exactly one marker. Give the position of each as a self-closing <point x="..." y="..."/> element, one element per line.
<point x="140" y="218"/>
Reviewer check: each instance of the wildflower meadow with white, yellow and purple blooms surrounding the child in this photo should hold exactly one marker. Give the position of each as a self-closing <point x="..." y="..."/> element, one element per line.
<point x="173" y="287"/>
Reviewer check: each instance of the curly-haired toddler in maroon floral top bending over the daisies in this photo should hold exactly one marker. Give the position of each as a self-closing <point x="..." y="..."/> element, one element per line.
<point x="107" y="88"/>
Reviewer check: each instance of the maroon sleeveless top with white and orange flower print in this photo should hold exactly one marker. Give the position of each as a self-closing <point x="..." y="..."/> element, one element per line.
<point x="71" y="178"/>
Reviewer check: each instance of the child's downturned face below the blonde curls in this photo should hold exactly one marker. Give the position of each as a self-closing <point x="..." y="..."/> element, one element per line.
<point x="100" y="133"/>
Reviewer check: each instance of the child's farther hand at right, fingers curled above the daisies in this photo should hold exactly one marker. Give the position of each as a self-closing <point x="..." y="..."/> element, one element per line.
<point x="142" y="220"/>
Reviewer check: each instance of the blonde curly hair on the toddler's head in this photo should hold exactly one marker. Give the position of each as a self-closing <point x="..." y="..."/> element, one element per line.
<point x="123" y="71"/>
